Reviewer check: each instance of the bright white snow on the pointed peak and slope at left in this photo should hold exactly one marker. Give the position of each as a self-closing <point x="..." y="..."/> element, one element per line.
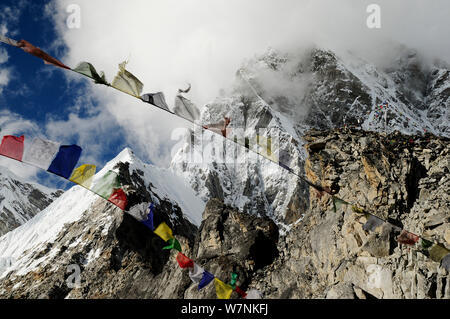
<point x="17" y="246"/>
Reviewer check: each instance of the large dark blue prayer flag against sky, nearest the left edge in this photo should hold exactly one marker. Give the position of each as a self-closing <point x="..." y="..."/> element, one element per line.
<point x="65" y="161"/>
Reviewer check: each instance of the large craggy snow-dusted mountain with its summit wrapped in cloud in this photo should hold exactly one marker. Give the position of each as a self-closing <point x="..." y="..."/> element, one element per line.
<point x="283" y="95"/>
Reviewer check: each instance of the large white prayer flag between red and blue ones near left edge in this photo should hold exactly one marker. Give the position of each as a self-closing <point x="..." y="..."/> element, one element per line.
<point x="40" y="153"/>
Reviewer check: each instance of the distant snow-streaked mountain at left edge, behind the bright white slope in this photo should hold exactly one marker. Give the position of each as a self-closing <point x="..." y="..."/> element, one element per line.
<point x="21" y="200"/>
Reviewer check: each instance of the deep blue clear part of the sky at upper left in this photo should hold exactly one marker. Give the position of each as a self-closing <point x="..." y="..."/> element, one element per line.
<point x="41" y="93"/>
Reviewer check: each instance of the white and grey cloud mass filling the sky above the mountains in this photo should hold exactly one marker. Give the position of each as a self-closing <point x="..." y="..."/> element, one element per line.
<point x="202" y="42"/>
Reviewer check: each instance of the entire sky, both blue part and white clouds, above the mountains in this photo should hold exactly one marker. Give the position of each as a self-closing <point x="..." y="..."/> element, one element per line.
<point x="168" y="44"/>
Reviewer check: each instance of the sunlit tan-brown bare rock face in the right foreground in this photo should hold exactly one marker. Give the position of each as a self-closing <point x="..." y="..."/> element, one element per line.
<point x="328" y="254"/>
